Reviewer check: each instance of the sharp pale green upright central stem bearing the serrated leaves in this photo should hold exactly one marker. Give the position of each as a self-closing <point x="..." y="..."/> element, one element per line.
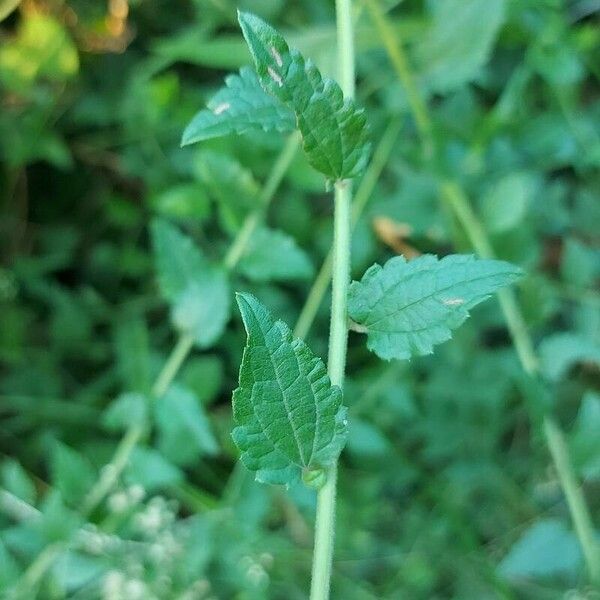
<point x="338" y="333"/>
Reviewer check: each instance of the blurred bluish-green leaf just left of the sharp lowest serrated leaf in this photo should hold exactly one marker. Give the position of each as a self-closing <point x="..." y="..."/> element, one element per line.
<point x="183" y="427"/>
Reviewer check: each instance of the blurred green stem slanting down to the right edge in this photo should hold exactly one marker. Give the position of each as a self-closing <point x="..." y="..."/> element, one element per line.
<point x="523" y="344"/>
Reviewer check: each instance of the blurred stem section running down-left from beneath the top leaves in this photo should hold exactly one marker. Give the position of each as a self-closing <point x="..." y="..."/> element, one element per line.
<point x="282" y="164"/>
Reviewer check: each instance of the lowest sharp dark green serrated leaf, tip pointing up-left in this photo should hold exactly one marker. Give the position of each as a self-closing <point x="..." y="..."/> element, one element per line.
<point x="290" y="419"/>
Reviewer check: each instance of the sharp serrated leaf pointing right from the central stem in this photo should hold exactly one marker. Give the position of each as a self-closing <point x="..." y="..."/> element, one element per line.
<point x="406" y="308"/>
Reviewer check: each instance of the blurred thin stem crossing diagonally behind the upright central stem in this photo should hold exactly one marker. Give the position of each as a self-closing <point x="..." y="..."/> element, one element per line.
<point x="362" y="196"/>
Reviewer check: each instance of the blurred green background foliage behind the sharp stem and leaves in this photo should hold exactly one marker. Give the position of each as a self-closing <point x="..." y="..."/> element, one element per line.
<point x="446" y="487"/>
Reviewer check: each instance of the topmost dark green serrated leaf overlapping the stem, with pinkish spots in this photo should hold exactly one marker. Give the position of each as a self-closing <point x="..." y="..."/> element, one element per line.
<point x="334" y="131"/>
